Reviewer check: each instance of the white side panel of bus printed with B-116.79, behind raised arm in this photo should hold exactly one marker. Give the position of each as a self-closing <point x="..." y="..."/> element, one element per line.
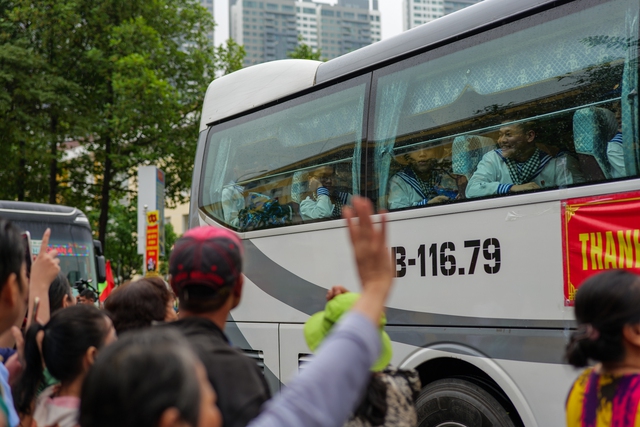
<point x="515" y="279"/>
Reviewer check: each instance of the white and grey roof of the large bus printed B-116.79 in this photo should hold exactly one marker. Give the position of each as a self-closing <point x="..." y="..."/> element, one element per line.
<point x="263" y="83"/>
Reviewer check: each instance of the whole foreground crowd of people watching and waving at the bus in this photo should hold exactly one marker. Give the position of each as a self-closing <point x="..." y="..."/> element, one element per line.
<point x="134" y="363"/>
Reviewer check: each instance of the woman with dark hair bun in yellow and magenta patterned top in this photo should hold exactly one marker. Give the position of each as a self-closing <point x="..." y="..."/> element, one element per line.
<point x="607" y="309"/>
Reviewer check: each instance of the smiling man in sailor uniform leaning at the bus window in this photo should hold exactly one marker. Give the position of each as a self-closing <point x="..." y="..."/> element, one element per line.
<point x="518" y="165"/>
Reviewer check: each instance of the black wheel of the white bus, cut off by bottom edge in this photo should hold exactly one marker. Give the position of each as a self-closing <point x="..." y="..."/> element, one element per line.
<point x="453" y="402"/>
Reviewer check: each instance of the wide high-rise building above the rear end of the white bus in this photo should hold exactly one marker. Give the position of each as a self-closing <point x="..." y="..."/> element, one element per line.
<point x="270" y="29"/>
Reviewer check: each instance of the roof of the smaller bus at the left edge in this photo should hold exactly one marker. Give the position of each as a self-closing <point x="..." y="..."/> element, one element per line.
<point x="27" y="211"/>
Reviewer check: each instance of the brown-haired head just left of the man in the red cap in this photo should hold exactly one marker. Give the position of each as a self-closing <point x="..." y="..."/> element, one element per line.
<point x="140" y="303"/>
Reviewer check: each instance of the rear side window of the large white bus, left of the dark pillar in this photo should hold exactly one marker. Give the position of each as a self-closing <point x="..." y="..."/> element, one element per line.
<point x="298" y="162"/>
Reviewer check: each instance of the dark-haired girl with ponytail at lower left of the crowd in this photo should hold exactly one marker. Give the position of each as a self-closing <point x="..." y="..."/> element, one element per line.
<point x="68" y="345"/>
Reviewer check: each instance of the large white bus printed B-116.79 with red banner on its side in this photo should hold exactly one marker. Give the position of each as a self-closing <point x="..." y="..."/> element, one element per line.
<point x="482" y="301"/>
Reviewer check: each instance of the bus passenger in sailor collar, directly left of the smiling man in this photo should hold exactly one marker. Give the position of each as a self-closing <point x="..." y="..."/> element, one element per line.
<point x="421" y="182"/>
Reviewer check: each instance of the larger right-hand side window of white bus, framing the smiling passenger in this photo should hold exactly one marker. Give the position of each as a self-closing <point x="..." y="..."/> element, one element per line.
<point x="530" y="107"/>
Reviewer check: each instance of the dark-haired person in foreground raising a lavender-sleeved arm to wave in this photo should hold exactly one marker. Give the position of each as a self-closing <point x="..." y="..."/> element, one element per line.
<point x="151" y="377"/>
